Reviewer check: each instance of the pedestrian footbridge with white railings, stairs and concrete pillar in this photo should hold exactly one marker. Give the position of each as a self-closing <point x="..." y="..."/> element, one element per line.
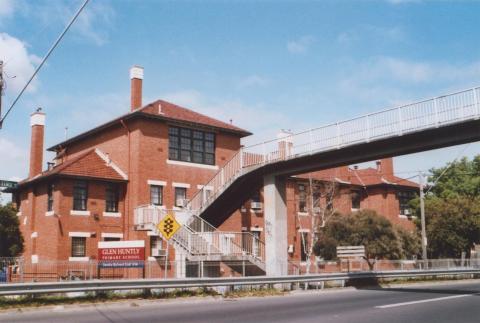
<point x="429" y="124"/>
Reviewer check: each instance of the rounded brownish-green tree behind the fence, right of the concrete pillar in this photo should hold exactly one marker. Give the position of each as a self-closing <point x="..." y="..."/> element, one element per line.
<point x="365" y="228"/>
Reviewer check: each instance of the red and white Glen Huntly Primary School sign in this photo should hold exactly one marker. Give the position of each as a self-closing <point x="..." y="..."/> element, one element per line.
<point x="111" y="251"/>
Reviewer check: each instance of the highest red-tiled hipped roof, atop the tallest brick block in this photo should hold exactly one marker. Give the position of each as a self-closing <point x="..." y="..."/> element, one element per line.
<point x="161" y="110"/>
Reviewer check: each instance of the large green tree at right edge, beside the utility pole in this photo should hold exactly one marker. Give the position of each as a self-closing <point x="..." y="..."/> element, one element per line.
<point x="452" y="209"/>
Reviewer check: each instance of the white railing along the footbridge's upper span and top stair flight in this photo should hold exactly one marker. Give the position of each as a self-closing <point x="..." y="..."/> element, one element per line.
<point x="424" y="115"/>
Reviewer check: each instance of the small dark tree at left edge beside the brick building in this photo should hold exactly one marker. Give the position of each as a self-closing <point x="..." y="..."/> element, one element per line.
<point x="11" y="240"/>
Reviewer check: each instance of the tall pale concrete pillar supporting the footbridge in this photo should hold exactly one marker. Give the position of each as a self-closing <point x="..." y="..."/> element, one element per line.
<point x="275" y="212"/>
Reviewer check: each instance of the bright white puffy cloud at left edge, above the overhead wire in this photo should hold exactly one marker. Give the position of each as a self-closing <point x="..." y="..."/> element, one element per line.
<point x="19" y="63"/>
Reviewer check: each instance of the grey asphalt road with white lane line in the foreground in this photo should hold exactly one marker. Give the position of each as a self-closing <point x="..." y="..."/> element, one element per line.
<point x="457" y="302"/>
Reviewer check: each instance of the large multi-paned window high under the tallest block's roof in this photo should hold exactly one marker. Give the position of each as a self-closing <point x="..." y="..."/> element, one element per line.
<point x="191" y="145"/>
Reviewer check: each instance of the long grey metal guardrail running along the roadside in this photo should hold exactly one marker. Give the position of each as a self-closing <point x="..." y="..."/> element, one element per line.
<point x="106" y="285"/>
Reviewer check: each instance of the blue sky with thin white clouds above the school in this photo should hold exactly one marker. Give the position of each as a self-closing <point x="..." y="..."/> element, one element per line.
<point x="267" y="65"/>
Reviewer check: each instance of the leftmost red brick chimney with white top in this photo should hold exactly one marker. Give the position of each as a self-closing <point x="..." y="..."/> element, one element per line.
<point x="37" y="122"/>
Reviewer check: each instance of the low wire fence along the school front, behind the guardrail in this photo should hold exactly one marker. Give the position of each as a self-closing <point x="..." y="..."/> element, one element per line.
<point x="16" y="270"/>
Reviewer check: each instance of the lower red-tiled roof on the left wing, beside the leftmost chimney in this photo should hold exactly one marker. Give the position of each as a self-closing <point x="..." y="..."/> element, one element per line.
<point x="90" y="164"/>
